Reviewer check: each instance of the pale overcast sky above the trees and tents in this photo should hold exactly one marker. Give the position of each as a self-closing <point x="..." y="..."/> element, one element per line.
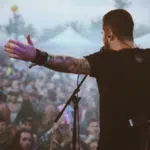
<point x="46" y="13"/>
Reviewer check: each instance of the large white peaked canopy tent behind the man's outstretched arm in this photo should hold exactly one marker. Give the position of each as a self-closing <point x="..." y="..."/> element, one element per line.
<point x="70" y="42"/>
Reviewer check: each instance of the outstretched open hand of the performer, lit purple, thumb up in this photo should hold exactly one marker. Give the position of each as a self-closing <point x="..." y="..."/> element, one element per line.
<point x="18" y="50"/>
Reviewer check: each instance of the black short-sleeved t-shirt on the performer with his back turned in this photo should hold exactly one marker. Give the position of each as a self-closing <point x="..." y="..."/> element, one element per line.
<point x="123" y="79"/>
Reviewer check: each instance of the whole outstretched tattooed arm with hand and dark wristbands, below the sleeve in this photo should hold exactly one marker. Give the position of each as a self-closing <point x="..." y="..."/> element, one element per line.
<point x="18" y="50"/>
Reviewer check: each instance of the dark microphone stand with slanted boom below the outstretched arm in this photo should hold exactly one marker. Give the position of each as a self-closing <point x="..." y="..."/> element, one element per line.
<point x="75" y="101"/>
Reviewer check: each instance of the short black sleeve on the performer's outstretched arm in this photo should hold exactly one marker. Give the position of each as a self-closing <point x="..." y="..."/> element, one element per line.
<point x="95" y="63"/>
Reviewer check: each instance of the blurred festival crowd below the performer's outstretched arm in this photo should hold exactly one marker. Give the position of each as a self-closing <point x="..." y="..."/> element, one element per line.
<point x="30" y="100"/>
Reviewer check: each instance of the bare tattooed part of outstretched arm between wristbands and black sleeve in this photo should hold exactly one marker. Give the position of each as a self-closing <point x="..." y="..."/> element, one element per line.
<point x="69" y="64"/>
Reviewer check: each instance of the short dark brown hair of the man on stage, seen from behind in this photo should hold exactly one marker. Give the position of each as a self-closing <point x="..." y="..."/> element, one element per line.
<point x="121" y="23"/>
